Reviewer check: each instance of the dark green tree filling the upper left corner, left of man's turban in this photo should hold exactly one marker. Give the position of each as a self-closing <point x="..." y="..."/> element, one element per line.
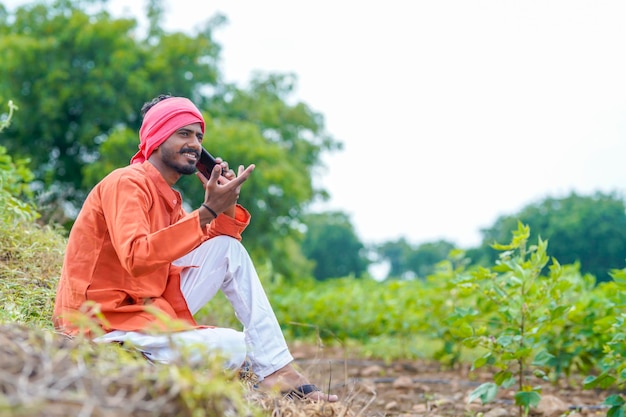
<point x="80" y="75"/>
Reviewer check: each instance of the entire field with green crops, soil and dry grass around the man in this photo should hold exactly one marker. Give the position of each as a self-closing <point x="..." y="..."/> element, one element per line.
<point x="526" y="331"/>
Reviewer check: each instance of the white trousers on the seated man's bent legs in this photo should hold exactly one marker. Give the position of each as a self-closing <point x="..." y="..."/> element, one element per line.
<point x="222" y="263"/>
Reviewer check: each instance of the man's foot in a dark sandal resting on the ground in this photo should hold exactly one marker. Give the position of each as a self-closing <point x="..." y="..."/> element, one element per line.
<point x="289" y="380"/>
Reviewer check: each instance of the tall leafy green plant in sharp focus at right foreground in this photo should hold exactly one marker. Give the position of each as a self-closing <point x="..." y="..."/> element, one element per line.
<point x="521" y="305"/>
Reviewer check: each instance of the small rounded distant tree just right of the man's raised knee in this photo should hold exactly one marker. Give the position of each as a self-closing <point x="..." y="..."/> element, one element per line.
<point x="330" y="241"/>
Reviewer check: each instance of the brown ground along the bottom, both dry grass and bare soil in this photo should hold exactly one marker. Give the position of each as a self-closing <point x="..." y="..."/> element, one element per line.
<point x="41" y="377"/>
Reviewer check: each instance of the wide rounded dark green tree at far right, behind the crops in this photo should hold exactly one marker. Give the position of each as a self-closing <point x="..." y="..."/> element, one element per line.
<point x="590" y="230"/>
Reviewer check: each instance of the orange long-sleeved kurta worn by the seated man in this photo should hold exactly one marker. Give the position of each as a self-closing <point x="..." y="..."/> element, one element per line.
<point x="120" y="251"/>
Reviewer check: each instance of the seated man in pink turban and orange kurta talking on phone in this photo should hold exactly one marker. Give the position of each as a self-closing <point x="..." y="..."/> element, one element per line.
<point x="144" y="263"/>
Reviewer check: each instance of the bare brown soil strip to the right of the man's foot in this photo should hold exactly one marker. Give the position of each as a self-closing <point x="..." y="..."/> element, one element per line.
<point x="421" y="388"/>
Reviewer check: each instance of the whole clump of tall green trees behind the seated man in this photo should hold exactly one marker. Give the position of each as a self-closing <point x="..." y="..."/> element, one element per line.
<point x="83" y="76"/>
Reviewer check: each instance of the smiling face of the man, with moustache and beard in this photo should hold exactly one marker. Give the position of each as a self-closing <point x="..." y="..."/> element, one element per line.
<point x="181" y="151"/>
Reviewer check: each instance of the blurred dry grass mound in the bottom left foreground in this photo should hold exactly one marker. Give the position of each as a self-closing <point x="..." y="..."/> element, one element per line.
<point x="46" y="374"/>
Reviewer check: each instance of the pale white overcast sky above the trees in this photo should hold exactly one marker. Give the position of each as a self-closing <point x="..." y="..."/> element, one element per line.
<point x="452" y="112"/>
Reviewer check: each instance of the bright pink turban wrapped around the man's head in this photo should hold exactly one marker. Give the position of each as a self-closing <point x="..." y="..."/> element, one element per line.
<point x="161" y="121"/>
